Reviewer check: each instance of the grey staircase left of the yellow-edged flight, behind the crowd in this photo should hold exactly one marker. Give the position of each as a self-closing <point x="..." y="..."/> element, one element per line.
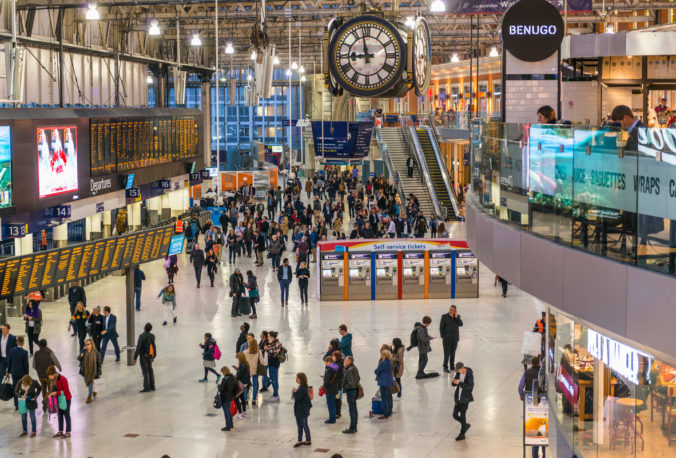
<point x="396" y="145"/>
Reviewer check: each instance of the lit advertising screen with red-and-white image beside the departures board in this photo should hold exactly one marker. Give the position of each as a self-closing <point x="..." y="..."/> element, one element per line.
<point x="57" y="160"/>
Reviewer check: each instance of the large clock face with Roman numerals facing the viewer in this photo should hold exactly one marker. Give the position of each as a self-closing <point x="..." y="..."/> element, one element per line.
<point x="366" y="56"/>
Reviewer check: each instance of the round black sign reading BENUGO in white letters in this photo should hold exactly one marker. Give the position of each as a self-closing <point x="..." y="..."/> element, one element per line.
<point x="532" y="30"/>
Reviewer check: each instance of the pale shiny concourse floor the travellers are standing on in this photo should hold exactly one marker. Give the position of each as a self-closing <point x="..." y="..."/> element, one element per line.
<point x="178" y="419"/>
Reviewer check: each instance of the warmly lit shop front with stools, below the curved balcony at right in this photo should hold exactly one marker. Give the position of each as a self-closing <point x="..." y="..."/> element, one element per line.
<point x="606" y="397"/>
